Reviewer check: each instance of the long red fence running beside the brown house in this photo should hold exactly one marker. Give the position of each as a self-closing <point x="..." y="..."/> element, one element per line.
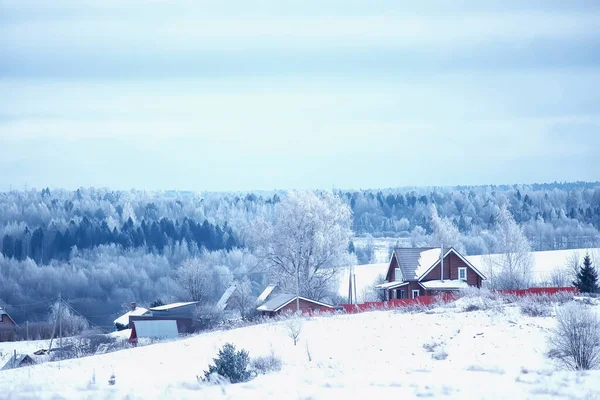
<point x="428" y="300"/>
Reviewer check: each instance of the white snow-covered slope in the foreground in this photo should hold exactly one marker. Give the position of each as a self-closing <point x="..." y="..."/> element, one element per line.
<point x="493" y="354"/>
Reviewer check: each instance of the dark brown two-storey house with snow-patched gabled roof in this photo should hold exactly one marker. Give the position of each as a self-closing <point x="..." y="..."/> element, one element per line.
<point x="414" y="272"/>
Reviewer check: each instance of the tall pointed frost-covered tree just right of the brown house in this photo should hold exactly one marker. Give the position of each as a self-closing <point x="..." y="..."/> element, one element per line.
<point x="511" y="267"/>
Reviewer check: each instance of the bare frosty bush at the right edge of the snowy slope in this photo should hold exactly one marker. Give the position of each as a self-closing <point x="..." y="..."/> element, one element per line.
<point x="575" y="341"/>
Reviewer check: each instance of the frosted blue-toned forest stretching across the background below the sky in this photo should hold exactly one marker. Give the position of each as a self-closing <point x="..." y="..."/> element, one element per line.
<point x="102" y="248"/>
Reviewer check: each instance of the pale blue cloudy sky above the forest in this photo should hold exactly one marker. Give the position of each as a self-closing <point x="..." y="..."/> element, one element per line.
<point x="234" y="95"/>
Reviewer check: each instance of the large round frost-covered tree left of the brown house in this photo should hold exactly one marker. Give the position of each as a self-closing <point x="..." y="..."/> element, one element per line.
<point x="308" y="241"/>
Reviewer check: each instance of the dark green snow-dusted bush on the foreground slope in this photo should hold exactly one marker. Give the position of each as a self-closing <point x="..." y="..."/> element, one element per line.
<point x="230" y="364"/>
